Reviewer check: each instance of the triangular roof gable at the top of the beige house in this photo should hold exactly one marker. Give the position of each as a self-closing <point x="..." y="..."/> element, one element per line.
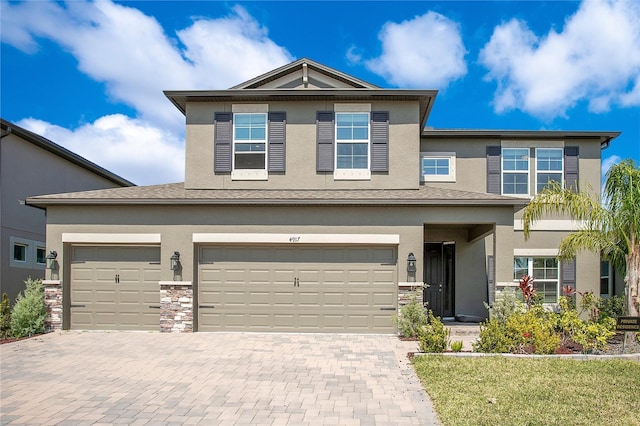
<point x="304" y="74"/>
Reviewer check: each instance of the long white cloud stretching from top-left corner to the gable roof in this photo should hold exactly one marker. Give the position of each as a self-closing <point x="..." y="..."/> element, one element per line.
<point x="132" y="54"/>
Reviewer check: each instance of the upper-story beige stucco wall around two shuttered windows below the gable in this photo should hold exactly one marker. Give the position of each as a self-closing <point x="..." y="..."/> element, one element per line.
<point x="301" y="149"/>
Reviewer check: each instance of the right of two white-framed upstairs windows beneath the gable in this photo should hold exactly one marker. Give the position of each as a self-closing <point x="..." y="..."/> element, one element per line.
<point x="352" y="140"/>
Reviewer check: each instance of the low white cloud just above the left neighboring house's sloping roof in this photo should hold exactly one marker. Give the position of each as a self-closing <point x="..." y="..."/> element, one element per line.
<point x="131" y="148"/>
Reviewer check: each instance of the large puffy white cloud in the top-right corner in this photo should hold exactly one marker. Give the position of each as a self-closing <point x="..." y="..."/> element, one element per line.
<point x="595" y="58"/>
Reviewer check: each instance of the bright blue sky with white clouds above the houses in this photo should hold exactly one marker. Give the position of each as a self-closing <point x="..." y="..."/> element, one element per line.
<point x="90" y="75"/>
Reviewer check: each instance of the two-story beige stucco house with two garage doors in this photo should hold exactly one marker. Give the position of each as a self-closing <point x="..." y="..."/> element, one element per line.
<point x="313" y="201"/>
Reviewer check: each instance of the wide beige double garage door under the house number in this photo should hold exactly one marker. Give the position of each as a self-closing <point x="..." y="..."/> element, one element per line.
<point x="310" y="289"/>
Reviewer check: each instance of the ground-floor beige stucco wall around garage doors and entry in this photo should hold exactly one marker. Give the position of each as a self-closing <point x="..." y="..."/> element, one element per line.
<point x="408" y="223"/>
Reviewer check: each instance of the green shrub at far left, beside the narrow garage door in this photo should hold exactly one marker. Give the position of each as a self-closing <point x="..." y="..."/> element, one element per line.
<point x="29" y="312"/>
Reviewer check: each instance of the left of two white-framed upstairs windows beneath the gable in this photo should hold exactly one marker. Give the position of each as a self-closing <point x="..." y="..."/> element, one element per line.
<point x="249" y="141"/>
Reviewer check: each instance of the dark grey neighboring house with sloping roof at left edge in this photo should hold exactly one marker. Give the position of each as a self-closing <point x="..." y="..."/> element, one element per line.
<point x="32" y="165"/>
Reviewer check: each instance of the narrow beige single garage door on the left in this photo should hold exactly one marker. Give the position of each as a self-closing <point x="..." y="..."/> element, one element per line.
<point x="115" y="288"/>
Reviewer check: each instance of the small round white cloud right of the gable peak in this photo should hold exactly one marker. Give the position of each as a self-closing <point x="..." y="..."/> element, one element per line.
<point x="425" y="52"/>
